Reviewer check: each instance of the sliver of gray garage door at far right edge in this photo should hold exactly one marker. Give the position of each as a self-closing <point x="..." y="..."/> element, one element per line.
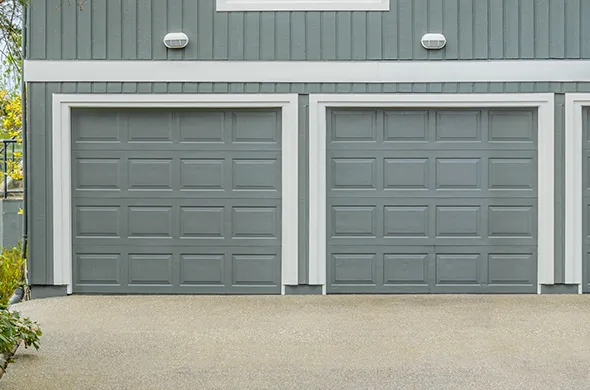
<point x="586" y="200"/>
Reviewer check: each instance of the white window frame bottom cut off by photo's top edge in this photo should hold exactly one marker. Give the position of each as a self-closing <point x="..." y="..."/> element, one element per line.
<point x="303" y="5"/>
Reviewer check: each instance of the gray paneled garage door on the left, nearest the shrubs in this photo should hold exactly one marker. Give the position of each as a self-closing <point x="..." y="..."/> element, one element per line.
<point x="176" y="201"/>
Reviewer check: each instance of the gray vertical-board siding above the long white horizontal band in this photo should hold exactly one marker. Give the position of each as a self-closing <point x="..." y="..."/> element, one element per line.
<point x="476" y="29"/>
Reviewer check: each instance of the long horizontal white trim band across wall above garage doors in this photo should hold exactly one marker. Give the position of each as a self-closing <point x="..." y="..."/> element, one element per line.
<point x="308" y="71"/>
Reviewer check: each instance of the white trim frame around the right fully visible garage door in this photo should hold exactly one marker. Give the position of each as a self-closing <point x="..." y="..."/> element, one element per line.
<point x="318" y="104"/>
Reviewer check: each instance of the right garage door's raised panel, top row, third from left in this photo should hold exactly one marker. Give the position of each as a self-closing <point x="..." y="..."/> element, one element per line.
<point x="458" y="126"/>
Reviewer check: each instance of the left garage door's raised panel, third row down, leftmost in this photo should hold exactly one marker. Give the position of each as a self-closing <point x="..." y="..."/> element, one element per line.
<point x="97" y="221"/>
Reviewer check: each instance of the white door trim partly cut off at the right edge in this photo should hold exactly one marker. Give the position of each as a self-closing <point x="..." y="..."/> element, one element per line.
<point x="574" y="103"/>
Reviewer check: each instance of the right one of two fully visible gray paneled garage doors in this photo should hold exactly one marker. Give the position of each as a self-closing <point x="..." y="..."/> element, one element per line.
<point x="432" y="200"/>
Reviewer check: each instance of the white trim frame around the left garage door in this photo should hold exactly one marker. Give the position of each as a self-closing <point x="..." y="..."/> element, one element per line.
<point x="61" y="158"/>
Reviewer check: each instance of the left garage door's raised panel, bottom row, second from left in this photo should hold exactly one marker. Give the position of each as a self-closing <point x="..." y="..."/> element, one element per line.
<point x="150" y="269"/>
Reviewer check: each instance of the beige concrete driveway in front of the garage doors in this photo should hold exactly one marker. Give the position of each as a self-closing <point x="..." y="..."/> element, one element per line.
<point x="307" y="342"/>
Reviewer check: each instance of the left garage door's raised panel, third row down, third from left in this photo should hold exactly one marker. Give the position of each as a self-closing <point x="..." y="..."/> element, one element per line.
<point x="201" y="222"/>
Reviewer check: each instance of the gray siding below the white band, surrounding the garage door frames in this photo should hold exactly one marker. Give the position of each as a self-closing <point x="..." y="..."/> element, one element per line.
<point x="39" y="202"/>
